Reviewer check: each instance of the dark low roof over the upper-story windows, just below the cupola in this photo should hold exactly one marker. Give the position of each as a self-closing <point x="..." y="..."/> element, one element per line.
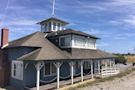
<point x="70" y="31"/>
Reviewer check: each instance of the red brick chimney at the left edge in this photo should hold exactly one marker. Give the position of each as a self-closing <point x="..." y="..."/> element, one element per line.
<point x="4" y="37"/>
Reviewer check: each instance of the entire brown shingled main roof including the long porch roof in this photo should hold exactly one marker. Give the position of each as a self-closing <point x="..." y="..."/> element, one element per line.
<point x="48" y="51"/>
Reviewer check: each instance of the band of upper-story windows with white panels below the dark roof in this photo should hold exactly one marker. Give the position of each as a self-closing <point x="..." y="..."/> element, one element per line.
<point x="74" y="41"/>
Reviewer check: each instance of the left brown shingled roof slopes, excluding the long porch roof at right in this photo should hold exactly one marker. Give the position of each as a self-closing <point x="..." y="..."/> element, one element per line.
<point x="46" y="50"/>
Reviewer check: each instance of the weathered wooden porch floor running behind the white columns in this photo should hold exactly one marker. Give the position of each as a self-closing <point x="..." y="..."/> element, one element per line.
<point x="63" y="83"/>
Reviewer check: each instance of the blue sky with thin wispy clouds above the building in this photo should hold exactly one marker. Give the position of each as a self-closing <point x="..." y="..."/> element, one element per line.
<point x="111" y="20"/>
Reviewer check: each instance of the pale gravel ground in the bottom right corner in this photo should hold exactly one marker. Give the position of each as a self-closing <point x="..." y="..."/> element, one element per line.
<point x="124" y="83"/>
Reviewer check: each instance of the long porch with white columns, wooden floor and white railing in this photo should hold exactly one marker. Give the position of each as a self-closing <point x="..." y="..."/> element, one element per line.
<point x="94" y="68"/>
